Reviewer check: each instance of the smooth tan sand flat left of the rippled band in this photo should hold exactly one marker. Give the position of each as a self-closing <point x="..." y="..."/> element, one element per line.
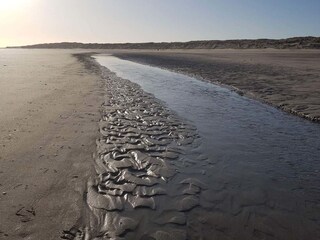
<point x="49" y="107"/>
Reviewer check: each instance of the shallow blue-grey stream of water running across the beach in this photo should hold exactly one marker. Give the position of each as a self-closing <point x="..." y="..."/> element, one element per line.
<point x="262" y="165"/>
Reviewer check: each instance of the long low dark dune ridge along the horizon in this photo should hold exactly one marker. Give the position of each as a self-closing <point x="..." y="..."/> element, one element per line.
<point x="288" y="43"/>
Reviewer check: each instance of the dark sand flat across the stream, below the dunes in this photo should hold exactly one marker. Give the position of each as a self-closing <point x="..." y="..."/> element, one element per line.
<point x="287" y="79"/>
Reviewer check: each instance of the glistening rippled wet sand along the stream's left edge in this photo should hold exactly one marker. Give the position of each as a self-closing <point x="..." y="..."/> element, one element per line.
<point x="138" y="155"/>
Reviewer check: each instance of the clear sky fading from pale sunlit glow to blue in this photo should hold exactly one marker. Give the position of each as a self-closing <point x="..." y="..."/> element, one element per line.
<point x="24" y="22"/>
